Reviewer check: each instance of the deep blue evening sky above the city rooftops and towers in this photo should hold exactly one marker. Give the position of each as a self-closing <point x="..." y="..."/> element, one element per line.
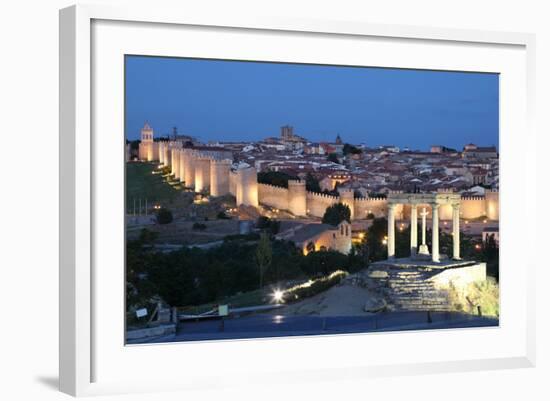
<point x="233" y="101"/>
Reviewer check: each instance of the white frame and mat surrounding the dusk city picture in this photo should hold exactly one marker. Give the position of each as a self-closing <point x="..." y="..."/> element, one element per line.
<point x="84" y="327"/>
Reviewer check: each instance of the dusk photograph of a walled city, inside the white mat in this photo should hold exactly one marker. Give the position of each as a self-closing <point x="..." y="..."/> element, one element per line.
<point x="276" y="199"/>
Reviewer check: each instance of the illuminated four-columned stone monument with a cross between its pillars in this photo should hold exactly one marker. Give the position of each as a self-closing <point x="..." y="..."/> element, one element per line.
<point x="433" y="200"/>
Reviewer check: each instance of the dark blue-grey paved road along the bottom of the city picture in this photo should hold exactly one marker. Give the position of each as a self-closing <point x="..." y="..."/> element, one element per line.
<point x="263" y="325"/>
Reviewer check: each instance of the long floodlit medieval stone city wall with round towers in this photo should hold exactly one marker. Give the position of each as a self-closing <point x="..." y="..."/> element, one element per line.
<point x="210" y="171"/>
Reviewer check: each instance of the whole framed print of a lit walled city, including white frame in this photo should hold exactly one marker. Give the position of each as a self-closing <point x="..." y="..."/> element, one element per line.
<point x="279" y="193"/>
